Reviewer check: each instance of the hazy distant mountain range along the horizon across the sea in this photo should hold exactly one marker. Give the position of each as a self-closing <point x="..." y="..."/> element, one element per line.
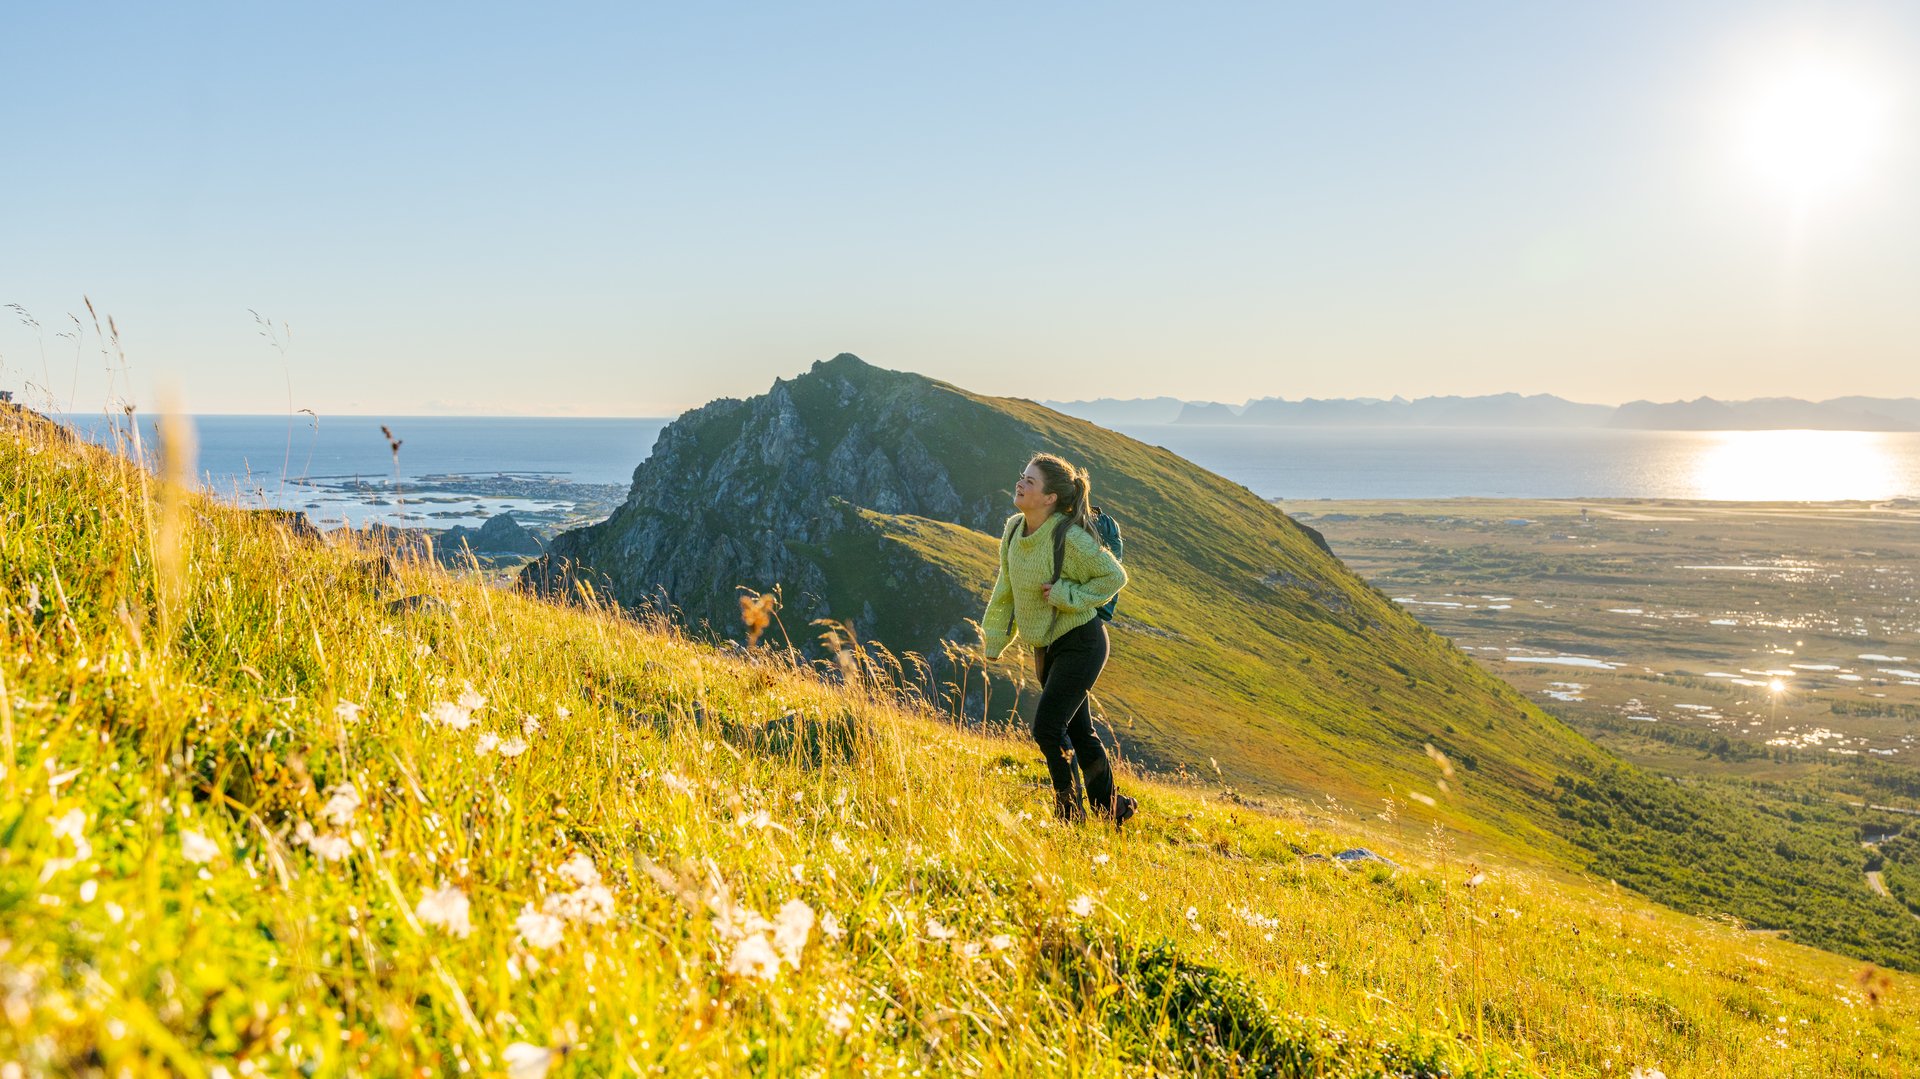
<point x="1510" y="412"/>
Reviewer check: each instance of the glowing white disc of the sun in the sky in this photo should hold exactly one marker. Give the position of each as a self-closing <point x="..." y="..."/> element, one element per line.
<point x="1813" y="130"/>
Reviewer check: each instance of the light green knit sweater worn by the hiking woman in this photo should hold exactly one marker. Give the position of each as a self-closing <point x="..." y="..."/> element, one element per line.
<point x="1090" y="577"/>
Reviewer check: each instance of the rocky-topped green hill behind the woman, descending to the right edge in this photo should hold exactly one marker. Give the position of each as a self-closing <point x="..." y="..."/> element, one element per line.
<point x="1245" y="652"/>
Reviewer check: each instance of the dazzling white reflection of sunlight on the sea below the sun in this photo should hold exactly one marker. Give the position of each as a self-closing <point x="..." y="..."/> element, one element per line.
<point x="1794" y="466"/>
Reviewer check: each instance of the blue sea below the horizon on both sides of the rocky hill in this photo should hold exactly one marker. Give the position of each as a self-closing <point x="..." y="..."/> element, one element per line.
<point x="341" y="469"/>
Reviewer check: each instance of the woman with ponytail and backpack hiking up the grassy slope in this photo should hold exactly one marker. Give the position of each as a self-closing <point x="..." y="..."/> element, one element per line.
<point x="1053" y="577"/>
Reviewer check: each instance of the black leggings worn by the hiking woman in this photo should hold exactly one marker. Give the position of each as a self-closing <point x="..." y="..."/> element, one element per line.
<point x="1068" y="671"/>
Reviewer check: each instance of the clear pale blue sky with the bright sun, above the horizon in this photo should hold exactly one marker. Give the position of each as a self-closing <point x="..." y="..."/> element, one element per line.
<point x="635" y="208"/>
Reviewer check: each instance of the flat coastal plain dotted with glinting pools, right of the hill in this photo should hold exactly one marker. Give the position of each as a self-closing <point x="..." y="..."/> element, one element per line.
<point x="1792" y="631"/>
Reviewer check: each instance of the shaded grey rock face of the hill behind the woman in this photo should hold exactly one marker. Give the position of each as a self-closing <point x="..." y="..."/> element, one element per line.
<point x="761" y="492"/>
